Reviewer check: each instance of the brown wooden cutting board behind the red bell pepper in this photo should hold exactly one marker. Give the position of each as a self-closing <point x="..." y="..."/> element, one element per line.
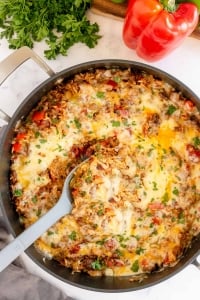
<point x="118" y="11"/>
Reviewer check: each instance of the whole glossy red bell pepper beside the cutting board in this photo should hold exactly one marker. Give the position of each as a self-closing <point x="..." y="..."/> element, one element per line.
<point x="155" y="30"/>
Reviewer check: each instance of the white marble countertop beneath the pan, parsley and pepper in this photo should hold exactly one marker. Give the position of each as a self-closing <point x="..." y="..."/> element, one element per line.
<point x="183" y="63"/>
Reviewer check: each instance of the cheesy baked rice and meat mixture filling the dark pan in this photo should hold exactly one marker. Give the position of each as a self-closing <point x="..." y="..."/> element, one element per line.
<point x="137" y="198"/>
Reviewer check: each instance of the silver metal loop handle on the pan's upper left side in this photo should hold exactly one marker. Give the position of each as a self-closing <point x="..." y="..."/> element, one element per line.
<point x="13" y="61"/>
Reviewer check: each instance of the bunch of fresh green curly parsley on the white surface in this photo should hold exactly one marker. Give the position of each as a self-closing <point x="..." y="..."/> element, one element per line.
<point x="61" y="23"/>
